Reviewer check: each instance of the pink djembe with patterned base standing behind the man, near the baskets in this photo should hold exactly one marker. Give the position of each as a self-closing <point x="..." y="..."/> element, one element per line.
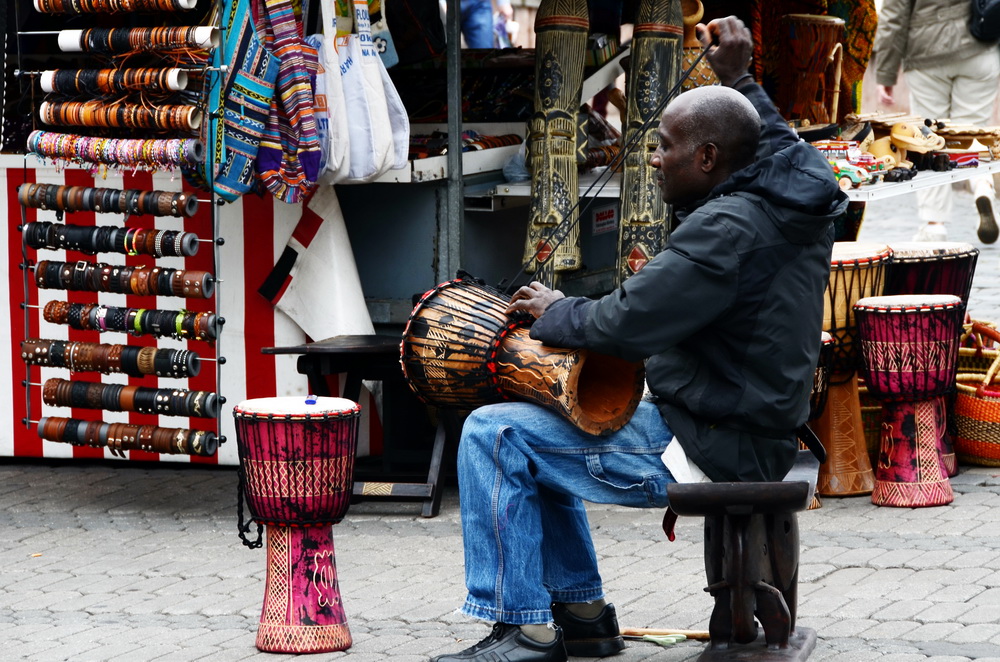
<point x="909" y="345"/>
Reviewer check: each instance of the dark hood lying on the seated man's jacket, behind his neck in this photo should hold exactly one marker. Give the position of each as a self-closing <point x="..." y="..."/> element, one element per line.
<point x="799" y="182"/>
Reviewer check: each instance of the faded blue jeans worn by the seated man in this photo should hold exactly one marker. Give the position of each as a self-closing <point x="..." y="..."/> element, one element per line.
<point x="523" y="474"/>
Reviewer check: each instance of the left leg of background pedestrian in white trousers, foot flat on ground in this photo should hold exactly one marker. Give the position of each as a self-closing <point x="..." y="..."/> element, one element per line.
<point x="930" y="97"/>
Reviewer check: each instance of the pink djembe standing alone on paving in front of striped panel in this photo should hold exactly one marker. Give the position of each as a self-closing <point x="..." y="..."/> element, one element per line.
<point x="297" y="472"/>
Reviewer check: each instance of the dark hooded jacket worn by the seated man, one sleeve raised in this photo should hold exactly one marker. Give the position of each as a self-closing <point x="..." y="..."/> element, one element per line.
<point x="729" y="315"/>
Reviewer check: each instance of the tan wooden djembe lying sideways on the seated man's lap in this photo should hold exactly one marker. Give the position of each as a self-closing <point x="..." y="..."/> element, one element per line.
<point x="460" y="349"/>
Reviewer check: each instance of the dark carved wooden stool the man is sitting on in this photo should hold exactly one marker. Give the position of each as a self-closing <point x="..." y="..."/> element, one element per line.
<point x="752" y="562"/>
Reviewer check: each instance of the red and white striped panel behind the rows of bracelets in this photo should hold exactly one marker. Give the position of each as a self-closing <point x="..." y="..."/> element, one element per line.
<point x="255" y="230"/>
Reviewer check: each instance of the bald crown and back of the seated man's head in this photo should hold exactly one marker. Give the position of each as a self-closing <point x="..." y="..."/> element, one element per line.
<point x="718" y="115"/>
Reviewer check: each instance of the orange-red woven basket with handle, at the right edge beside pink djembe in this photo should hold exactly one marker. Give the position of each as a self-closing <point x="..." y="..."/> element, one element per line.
<point x="977" y="408"/>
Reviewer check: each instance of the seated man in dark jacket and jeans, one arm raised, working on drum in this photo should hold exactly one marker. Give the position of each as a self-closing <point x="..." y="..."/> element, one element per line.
<point x="728" y="318"/>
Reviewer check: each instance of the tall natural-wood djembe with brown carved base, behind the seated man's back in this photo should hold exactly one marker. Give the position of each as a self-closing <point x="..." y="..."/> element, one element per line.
<point x="856" y="271"/>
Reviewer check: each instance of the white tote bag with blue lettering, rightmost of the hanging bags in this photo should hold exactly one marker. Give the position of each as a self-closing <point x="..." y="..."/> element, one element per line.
<point x="371" y="139"/>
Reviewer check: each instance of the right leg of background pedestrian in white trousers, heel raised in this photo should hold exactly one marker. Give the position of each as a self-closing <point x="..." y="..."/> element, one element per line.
<point x="973" y="99"/>
